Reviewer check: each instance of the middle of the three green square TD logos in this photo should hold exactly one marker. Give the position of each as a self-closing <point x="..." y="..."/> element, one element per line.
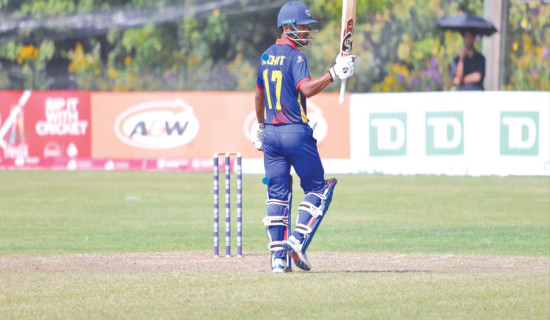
<point x="445" y="133"/>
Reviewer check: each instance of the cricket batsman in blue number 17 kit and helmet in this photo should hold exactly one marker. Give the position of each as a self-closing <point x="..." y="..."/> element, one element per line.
<point x="282" y="86"/>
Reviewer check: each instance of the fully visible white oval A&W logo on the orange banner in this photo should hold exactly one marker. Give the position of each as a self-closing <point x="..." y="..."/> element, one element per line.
<point x="157" y="125"/>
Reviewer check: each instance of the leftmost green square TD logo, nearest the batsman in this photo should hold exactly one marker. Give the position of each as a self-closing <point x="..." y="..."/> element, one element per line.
<point x="388" y="134"/>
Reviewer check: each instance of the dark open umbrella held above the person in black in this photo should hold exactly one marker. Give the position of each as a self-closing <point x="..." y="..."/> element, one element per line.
<point x="466" y="22"/>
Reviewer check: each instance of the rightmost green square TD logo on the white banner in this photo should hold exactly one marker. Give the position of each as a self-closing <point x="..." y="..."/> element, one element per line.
<point x="519" y="133"/>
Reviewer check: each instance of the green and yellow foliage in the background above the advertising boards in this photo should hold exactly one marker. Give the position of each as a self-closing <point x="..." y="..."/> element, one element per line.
<point x="397" y="46"/>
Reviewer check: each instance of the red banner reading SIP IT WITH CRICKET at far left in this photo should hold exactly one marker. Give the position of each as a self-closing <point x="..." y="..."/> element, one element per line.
<point x="39" y="126"/>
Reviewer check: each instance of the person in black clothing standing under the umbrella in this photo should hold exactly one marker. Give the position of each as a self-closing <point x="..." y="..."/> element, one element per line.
<point x="469" y="66"/>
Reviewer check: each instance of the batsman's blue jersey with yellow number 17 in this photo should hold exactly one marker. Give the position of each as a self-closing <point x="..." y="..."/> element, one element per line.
<point x="282" y="69"/>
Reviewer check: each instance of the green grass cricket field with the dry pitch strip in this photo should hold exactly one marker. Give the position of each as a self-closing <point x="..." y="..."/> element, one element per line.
<point x="56" y="226"/>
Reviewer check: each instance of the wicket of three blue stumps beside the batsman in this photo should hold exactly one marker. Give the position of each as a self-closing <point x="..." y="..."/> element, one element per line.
<point x="228" y="203"/>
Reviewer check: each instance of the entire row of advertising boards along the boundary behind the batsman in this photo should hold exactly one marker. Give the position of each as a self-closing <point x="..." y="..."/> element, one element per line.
<point x="450" y="133"/>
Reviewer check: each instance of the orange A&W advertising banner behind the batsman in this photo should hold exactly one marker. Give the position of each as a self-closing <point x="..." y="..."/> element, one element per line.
<point x="149" y="125"/>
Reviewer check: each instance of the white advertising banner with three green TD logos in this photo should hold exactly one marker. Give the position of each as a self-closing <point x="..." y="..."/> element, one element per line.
<point x="451" y="133"/>
